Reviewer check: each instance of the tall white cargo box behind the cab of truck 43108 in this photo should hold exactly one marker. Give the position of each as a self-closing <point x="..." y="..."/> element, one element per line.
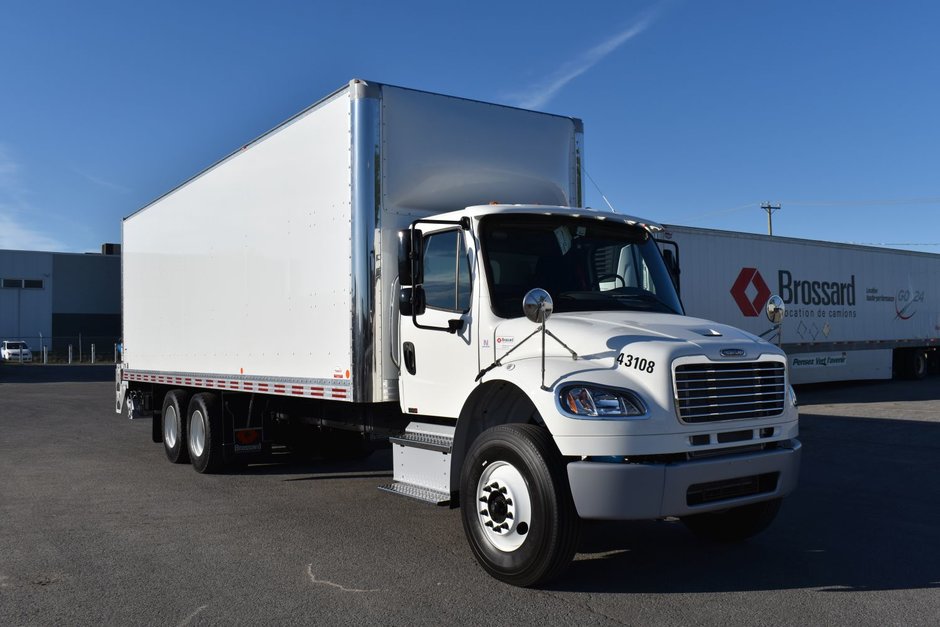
<point x="278" y="249"/>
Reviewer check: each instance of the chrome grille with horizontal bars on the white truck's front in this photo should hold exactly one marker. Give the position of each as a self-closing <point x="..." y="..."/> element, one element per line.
<point x="730" y="391"/>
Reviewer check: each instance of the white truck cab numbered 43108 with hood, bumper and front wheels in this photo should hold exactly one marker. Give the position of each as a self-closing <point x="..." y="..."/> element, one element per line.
<point x="548" y="350"/>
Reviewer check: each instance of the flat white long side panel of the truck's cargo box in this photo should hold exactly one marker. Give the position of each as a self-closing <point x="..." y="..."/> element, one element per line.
<point x="246" y="268"/>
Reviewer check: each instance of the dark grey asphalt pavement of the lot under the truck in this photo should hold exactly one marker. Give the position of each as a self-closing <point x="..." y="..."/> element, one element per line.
<point x="97" y="527"/>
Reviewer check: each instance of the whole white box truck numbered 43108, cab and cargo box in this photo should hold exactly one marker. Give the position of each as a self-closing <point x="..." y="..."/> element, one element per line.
<point x="394" y="263"/>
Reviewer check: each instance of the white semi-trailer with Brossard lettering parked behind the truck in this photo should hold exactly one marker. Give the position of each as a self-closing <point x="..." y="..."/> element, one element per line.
<point x="852" y="312"/>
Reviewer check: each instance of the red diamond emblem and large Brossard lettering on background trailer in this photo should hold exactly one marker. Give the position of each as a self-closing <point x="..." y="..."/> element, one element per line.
<point x="792" y="291"/>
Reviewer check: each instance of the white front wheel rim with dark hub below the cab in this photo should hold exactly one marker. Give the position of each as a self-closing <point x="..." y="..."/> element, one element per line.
<point x="504" y="506"/>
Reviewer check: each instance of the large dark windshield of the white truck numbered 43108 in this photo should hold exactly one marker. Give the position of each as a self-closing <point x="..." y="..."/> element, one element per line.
<point x="586" y="264"/>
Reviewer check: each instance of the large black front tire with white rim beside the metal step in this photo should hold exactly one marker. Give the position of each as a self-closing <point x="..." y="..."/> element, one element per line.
<point x="516" y="505"/>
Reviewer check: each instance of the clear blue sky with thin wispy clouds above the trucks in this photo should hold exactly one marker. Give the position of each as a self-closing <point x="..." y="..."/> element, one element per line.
<point x="695" y="111"/>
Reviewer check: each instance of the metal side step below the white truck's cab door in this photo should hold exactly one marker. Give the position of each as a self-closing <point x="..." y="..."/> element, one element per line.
<point x="422" y="463"/>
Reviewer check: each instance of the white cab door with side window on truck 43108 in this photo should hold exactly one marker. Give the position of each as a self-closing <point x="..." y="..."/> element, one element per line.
<point x="439" y="358"/>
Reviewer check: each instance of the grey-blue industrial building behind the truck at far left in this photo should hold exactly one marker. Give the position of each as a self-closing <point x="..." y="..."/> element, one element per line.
<point x="59" y="300"/>
